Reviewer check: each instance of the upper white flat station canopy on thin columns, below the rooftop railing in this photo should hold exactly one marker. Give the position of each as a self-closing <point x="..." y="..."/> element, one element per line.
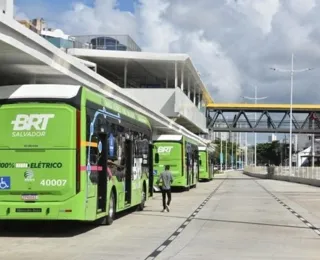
<point x="136" y="69"/>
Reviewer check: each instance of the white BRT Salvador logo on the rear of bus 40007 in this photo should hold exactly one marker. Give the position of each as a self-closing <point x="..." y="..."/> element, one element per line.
<point x="33" y="125"/>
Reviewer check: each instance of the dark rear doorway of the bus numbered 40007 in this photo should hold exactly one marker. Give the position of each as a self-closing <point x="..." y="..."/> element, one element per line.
<point x="102" y="176"/>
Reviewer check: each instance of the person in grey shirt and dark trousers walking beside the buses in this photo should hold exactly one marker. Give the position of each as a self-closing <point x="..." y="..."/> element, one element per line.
<point x="166" y="180"/>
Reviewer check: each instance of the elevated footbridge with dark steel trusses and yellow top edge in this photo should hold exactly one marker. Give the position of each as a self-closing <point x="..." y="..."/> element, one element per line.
<point x="263" y="118"/>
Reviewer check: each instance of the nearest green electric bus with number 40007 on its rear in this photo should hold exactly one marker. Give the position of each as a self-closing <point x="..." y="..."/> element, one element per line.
<point x="69" y="153"/>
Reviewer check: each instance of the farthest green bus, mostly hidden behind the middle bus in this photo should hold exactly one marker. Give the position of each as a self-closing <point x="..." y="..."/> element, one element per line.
<point x="206" y="155"/>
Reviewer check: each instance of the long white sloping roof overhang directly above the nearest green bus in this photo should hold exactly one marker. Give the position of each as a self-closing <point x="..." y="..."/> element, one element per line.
<point x="26" y="57"/>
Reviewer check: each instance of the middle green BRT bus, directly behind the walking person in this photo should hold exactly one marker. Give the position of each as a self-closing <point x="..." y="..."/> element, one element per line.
<point x="181" y="154"/>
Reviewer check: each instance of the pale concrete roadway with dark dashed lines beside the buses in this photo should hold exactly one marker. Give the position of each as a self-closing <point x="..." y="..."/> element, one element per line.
<point x="244" y="218"/>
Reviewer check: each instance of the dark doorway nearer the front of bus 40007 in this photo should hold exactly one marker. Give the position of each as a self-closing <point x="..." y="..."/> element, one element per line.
<point x="129" y="165"/>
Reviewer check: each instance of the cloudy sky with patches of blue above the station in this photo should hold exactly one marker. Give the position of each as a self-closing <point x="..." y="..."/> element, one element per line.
<point x="233" y="43"/>
